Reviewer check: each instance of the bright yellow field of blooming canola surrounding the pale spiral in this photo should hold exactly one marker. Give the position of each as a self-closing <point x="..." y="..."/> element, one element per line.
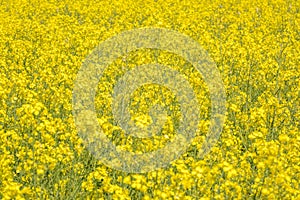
<point x="255" y="45"/>
